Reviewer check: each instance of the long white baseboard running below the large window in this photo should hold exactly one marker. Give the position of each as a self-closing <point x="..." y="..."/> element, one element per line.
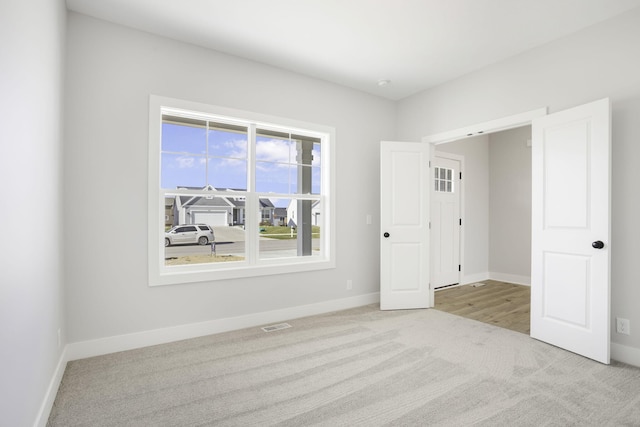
<point x="101" y="346"/>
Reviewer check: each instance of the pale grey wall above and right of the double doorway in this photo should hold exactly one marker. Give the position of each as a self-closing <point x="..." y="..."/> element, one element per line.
<point x="601" y="61"/>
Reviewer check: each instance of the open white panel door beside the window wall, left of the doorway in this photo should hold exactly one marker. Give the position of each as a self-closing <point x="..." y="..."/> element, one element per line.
<point x="404" y="220"/>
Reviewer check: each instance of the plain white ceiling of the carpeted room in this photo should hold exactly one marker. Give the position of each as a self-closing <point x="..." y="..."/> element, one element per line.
<point x="415" y="44"/>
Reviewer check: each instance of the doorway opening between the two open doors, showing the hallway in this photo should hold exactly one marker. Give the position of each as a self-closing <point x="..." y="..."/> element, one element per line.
<point x="494" y="277"/>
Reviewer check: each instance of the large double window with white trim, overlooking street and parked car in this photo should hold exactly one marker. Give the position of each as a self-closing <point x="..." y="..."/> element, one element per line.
<point x="259" y="188"/>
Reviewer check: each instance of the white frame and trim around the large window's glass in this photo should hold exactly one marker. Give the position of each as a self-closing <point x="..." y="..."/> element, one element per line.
<point x="159" y="274"/>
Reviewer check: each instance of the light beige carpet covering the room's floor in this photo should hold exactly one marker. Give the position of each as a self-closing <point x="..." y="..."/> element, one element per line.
<point x="355" y="367"/>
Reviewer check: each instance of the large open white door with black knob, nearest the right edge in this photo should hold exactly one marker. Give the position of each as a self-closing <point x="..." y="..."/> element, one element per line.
<point x="570" y="249"/>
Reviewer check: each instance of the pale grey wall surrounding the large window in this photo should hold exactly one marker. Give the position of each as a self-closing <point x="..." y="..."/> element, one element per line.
<point x="111" y="72"/>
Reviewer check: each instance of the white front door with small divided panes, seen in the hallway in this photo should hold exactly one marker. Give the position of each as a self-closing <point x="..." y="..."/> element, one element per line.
<point x="445" y="220"/>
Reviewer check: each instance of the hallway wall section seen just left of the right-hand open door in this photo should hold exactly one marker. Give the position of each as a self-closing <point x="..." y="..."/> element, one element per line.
<point x="510" y="205"/>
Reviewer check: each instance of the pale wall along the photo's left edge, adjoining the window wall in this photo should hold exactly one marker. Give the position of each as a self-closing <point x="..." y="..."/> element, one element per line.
<point x="31" y="294"/>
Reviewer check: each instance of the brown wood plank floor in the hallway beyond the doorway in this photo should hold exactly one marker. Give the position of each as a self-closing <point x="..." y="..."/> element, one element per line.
<point x="498" y="303"/>
